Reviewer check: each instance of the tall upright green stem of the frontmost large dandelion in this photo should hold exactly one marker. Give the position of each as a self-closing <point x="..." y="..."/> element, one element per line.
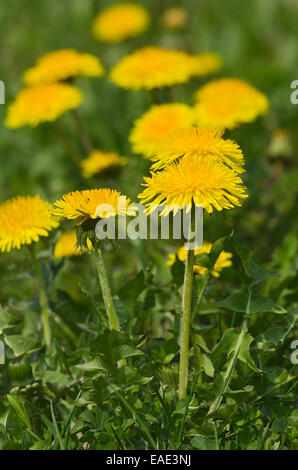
<point x="185" y="324"/>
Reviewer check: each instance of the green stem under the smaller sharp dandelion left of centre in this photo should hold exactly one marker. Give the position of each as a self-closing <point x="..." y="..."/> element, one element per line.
<point x="106" y="292"/>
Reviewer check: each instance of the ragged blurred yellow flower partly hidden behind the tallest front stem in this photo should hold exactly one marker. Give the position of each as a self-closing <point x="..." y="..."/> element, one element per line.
<point x="223" y="261"/>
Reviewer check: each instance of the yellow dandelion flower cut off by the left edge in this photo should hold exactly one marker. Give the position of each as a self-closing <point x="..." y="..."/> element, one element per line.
<point x="24" y="220"/>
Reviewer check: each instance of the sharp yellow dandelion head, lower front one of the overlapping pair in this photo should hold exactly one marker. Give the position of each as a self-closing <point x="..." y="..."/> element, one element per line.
<point x="205" y="183"/>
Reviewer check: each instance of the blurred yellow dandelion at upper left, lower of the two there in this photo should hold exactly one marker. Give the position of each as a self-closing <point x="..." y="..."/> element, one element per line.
<point x="41" y="103"/>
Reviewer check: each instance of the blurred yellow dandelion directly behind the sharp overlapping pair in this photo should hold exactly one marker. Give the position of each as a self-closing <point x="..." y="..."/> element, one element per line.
<point x="155" y="126"/>
